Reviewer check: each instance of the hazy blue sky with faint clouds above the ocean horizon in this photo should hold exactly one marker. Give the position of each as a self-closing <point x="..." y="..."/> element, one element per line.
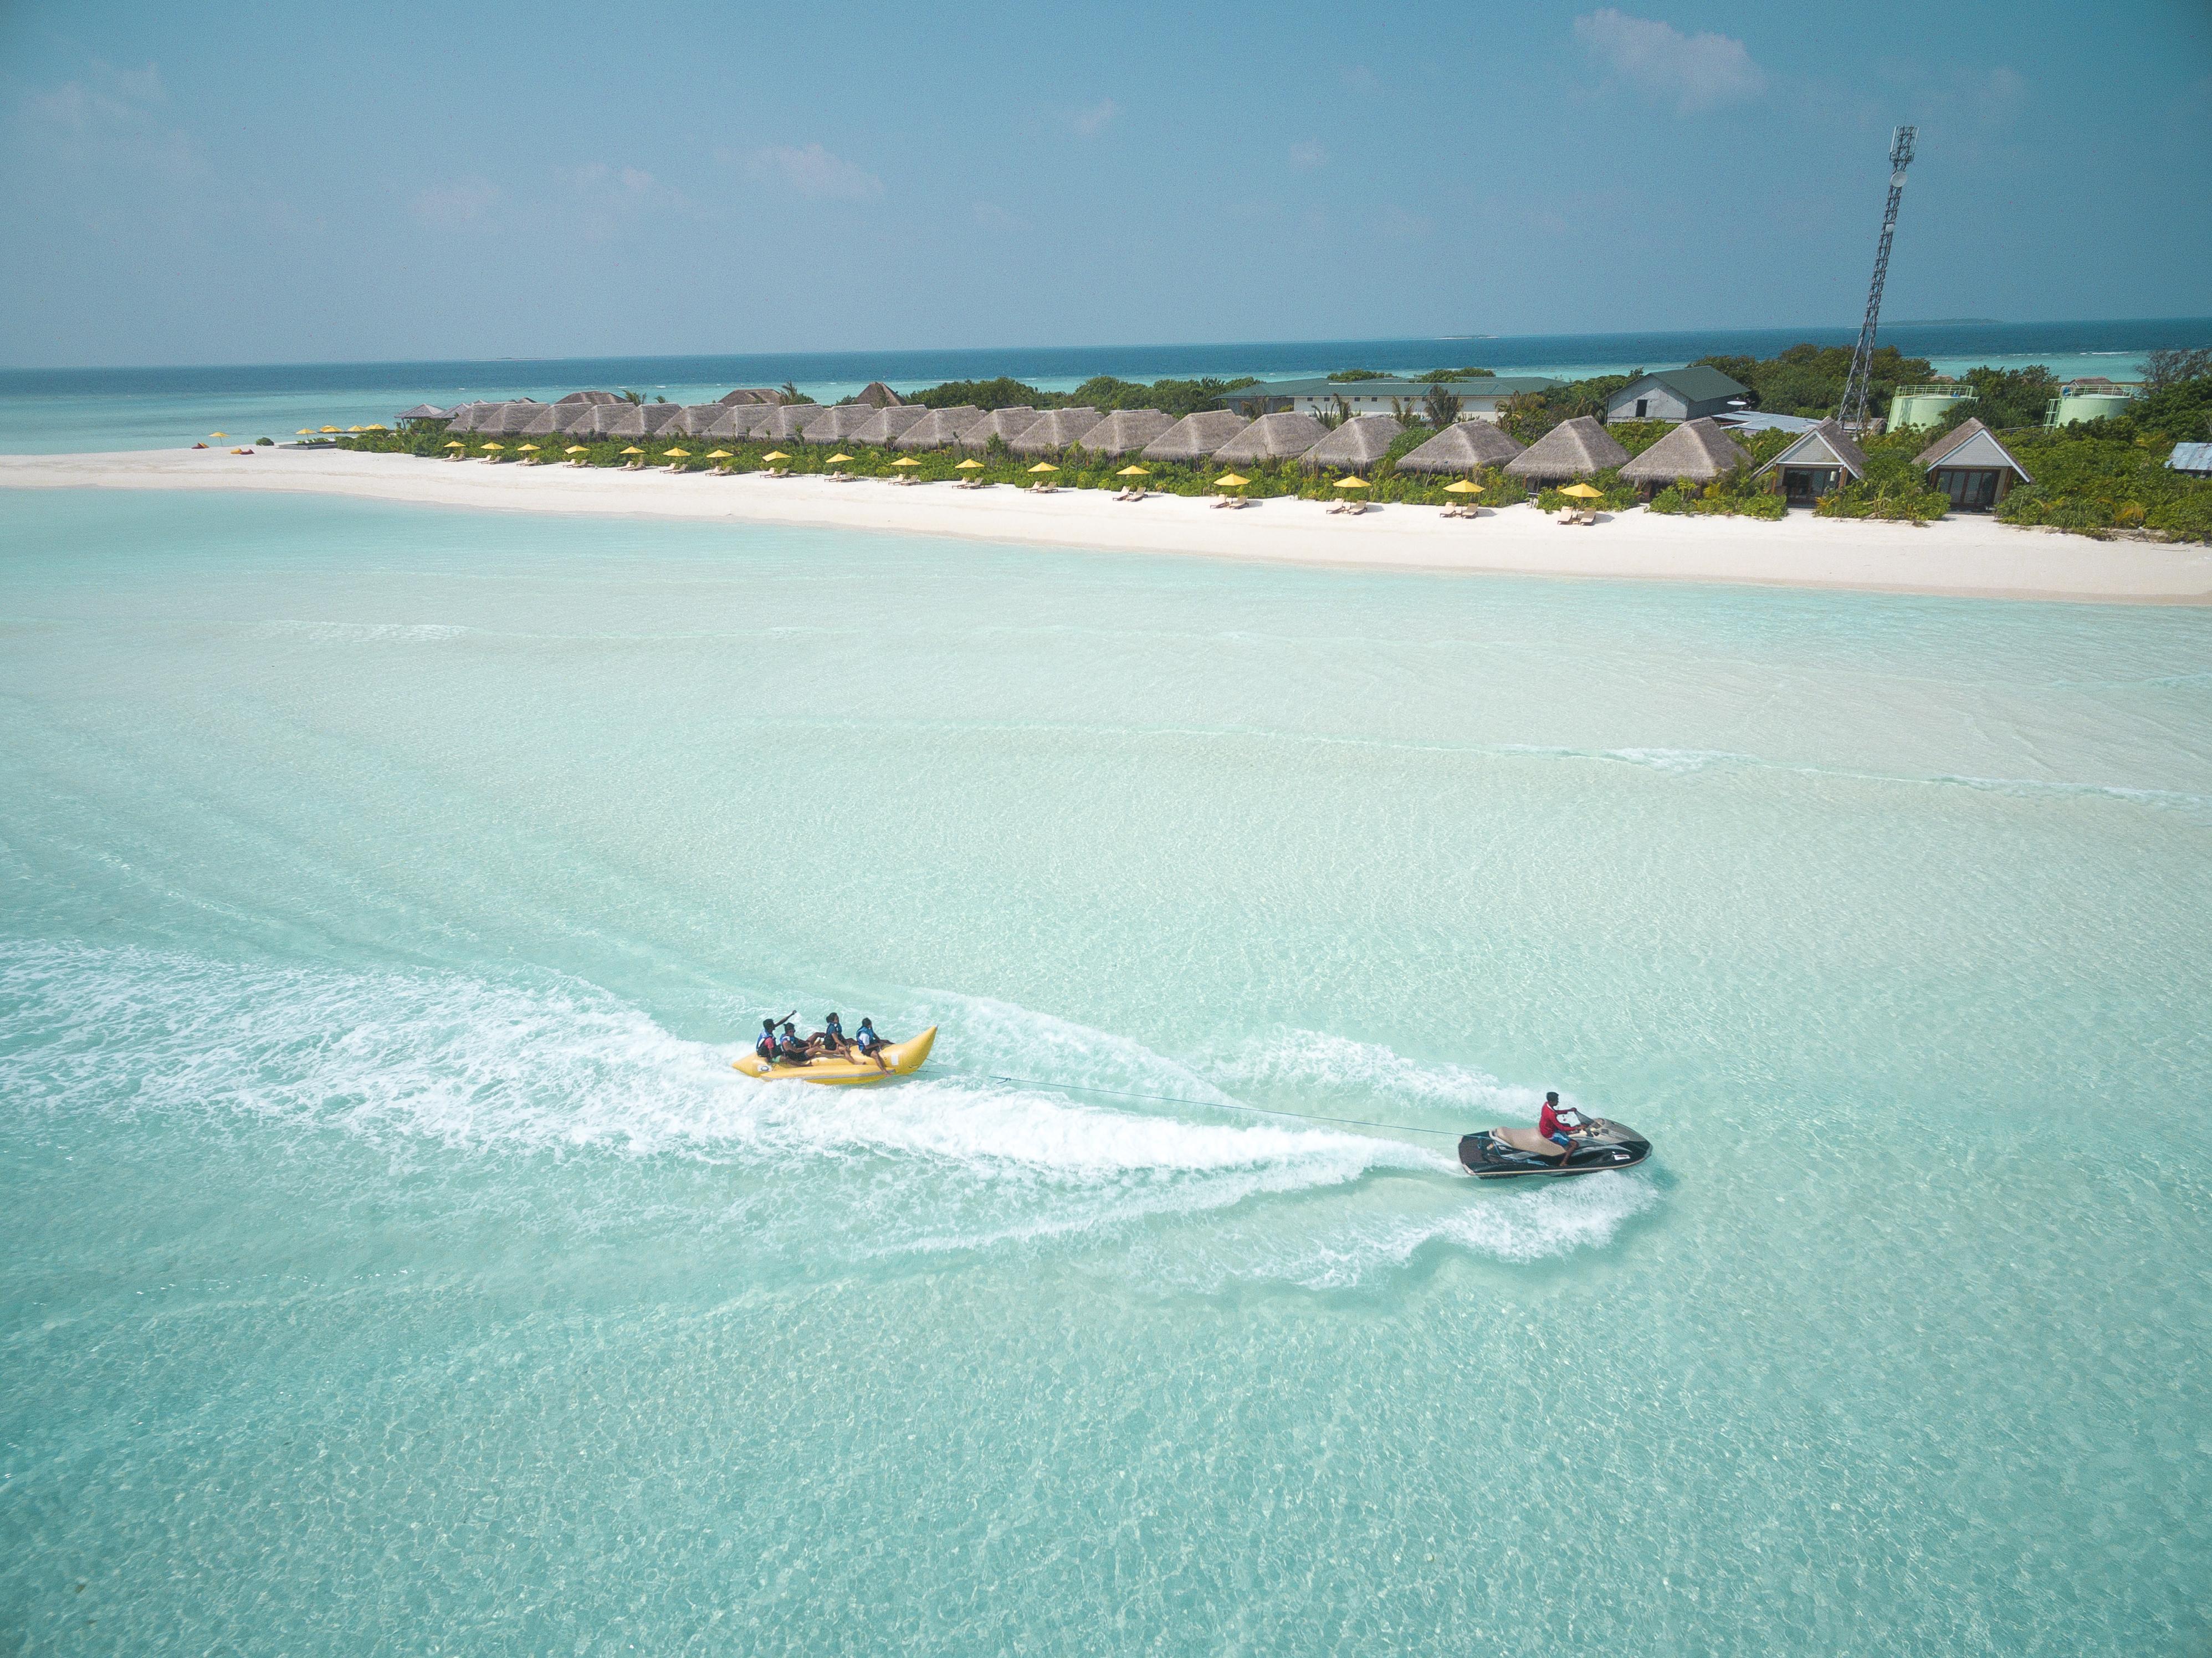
<point x="304" y="183"/>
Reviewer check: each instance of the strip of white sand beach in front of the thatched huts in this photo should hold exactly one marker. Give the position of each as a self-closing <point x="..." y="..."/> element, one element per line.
<point x="1965" y="557"/>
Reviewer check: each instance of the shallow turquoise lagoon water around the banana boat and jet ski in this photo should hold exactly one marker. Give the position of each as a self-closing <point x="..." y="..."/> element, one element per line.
<point x="393" y="1263"/>
